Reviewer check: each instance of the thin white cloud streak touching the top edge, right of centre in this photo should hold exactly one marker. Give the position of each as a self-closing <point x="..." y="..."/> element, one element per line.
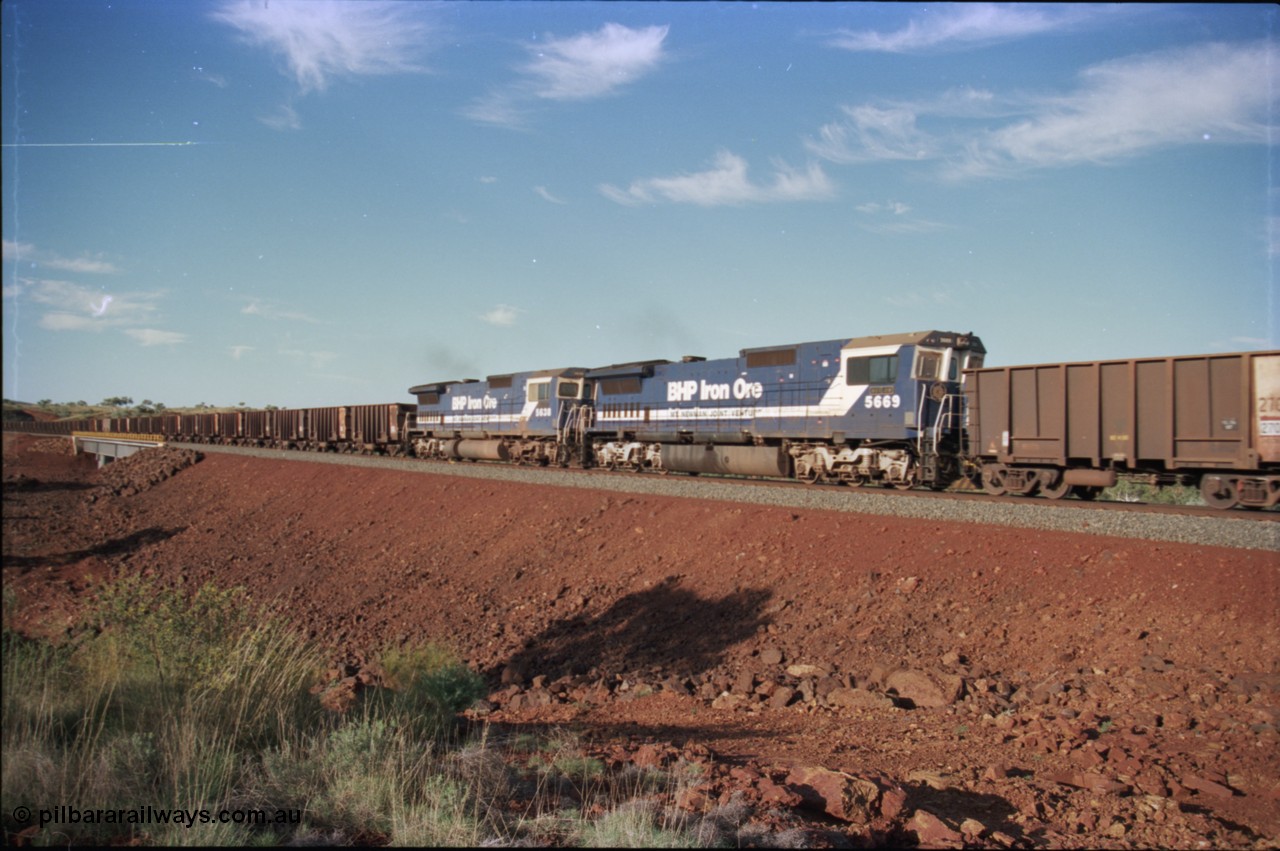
<point x="950" y="26"/>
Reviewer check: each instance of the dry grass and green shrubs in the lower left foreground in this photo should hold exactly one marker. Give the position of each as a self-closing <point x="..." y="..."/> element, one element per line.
<point x="196" y="704"/>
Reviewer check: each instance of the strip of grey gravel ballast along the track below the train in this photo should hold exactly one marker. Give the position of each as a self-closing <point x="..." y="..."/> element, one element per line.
<point x="1073" y="516"/>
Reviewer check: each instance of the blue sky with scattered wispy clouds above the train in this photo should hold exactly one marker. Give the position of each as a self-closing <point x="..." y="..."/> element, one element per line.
<point x="326" y="203"/>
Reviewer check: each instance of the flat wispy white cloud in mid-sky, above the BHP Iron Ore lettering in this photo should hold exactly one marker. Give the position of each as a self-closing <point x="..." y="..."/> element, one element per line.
<point x="728" y="184"/>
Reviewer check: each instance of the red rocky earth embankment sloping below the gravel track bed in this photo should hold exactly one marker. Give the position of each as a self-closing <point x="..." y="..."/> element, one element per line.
<point x="918" y="681"/>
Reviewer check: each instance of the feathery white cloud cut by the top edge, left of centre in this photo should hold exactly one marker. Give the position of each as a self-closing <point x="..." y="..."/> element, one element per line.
<point x="324" y="39"/>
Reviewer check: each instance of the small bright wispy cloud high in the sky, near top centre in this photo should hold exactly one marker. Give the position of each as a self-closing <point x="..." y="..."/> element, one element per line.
<point x="583" y="67"/>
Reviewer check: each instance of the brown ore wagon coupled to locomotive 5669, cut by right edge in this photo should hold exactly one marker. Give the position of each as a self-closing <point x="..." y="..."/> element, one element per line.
<point x="1063" y="428"/>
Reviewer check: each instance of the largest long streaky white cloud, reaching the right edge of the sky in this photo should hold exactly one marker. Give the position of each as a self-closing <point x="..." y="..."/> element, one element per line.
<point x="1200" y="95"/>
